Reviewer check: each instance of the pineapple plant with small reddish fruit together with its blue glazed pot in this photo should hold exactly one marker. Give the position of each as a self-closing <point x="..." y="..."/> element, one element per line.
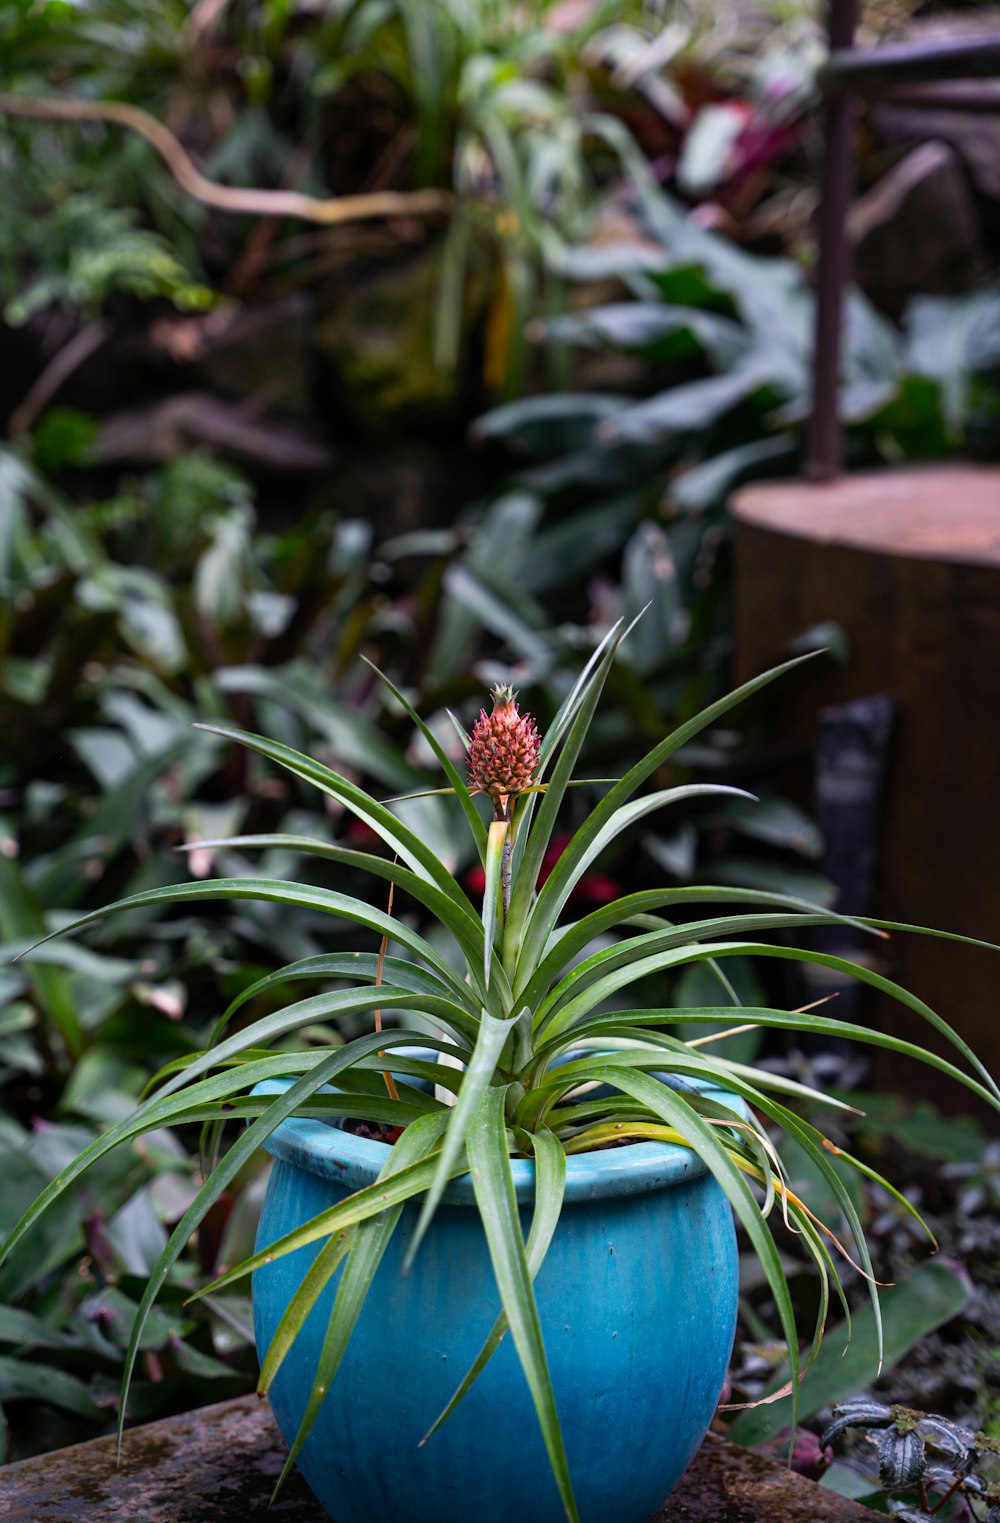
<point x="535" y="1268"/>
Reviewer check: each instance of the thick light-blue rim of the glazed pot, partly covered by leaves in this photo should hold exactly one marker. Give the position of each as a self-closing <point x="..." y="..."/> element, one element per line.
<point x="328" y="1152"/>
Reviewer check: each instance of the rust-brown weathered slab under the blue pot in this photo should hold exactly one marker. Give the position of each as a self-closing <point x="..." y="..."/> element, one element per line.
<point x="220" y="1464"/>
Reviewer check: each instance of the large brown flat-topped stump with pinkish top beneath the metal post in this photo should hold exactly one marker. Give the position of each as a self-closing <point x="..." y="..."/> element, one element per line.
<point x="908" y="564"/>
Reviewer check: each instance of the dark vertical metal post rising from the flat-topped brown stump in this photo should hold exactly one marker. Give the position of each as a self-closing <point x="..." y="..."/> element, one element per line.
<point x="824" y="445"/>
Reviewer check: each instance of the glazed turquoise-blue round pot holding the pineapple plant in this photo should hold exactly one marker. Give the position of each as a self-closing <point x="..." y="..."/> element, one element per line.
<point x="639" y="1303"/>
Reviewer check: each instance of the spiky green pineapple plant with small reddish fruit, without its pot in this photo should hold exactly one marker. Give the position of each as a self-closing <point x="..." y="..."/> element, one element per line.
<point x="541" y="1065"/>
